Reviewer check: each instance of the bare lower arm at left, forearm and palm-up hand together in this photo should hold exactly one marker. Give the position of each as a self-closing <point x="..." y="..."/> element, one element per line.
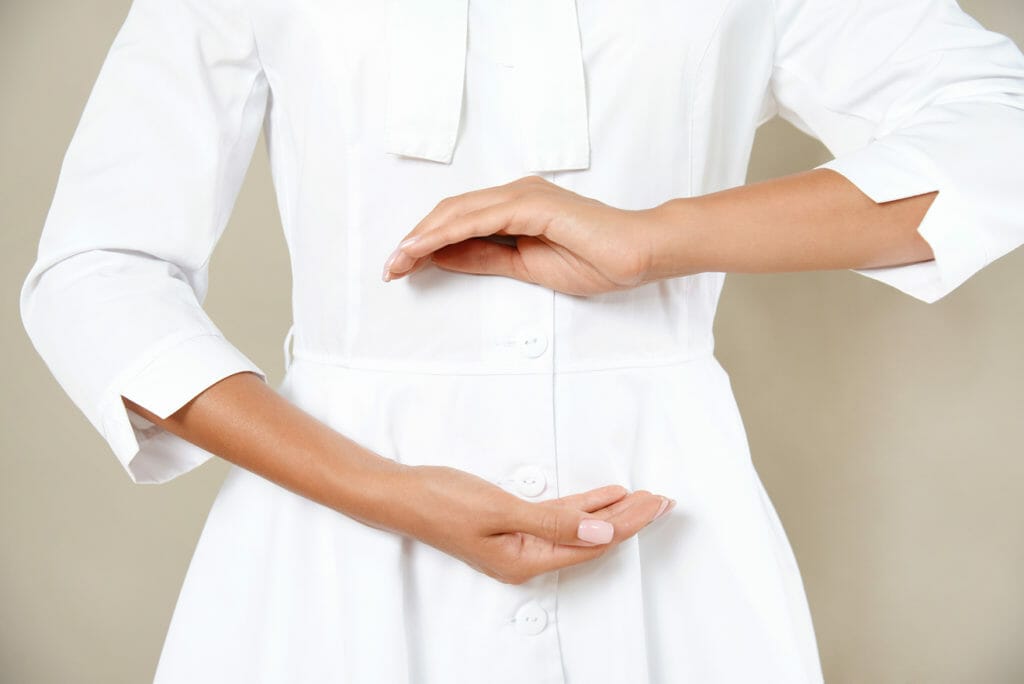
<point x="243" y="420"/>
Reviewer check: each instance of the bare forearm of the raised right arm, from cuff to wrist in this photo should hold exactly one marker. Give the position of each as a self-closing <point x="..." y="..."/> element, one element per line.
<point x="810" y="221"/>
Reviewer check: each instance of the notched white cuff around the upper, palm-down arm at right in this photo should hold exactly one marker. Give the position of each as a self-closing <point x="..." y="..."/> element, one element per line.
<point x="884" y="174"/>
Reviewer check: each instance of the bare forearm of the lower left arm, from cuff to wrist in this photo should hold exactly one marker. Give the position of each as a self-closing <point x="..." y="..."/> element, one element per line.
<point x="246" y="422"/>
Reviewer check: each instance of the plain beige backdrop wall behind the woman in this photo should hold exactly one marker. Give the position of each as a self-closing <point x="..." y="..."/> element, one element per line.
<point x="887" y="432"/>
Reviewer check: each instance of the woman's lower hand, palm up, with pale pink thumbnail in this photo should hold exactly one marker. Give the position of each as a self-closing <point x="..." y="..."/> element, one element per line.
<point x="503" y="536"/>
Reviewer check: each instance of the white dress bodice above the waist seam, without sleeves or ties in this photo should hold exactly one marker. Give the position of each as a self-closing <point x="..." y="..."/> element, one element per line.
<point x="675" y="92"/>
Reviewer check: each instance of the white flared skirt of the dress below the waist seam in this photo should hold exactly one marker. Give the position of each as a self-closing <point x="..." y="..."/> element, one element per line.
<point x="284" y="590"/>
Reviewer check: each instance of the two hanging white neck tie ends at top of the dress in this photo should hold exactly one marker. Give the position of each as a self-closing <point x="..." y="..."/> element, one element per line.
<point x="428" y="44"/>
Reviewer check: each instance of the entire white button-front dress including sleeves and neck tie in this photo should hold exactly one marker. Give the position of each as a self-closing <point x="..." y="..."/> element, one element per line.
<point x="376" y="111"/>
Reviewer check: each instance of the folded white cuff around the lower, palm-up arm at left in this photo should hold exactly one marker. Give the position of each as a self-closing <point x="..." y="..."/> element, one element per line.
<point x="163" y="382"/>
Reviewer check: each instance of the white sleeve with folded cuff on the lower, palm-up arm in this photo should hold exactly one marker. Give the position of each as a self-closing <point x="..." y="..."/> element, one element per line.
<point x="113" y="304"/>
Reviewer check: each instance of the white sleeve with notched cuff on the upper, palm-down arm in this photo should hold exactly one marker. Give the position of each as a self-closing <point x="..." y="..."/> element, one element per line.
<point x="913" y="97"/>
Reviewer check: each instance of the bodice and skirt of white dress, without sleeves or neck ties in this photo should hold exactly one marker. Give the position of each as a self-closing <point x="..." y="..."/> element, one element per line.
<point x="543" y="394"/>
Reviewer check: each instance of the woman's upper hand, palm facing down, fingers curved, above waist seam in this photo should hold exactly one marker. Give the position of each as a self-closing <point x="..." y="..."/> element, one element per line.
<point x="565" y="241"/>
